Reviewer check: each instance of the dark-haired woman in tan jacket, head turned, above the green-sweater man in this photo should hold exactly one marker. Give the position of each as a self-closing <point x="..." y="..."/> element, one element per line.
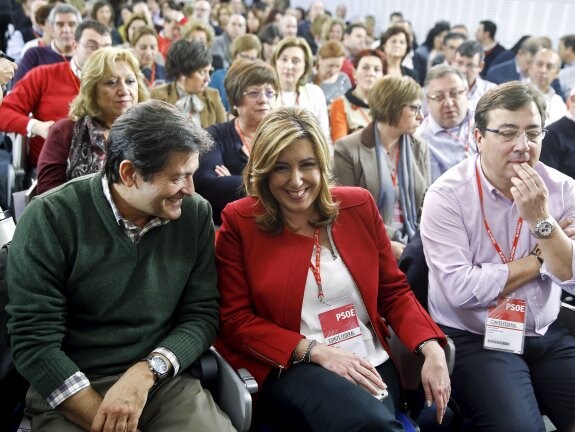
<point x="189" y="64"/>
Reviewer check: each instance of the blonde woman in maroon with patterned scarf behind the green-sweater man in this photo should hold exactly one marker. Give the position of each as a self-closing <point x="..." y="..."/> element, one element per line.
<point x="111" y="84"/>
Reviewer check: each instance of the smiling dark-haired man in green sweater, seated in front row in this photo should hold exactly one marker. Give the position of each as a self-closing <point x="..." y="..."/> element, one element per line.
<point x="112" y="287"/>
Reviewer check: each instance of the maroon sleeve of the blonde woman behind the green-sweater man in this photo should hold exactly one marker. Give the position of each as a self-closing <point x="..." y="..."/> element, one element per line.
<point x="52" y="162"/>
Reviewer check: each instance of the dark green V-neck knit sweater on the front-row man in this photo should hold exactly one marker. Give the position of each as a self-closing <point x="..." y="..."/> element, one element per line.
<point x="84" y="297"/>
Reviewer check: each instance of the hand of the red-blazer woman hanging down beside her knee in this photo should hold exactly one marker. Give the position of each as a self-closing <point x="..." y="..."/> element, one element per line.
<point x="435" y="378"/>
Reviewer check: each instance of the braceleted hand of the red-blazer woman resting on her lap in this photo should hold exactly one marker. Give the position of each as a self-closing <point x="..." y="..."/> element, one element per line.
<point x="353" y="368"/>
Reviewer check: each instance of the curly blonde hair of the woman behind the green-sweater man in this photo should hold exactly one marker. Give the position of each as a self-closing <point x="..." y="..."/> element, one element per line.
<point x="99" y="68"/>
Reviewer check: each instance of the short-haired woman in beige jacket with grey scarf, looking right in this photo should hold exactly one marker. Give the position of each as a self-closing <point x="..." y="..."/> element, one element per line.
<point x="387" y="160"/>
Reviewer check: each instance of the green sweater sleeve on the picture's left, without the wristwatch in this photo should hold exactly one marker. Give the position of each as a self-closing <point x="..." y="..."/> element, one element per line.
<point x="37" y="308"/>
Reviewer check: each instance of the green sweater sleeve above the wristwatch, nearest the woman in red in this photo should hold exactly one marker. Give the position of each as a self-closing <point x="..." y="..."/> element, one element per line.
<point x="197" y="314"/>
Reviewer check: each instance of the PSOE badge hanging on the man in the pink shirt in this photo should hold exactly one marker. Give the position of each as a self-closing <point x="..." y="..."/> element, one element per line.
<point x="505" y="326"/>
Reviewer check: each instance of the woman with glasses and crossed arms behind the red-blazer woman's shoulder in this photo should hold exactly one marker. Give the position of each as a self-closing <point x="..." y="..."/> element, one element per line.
<point x="251" y="87"/>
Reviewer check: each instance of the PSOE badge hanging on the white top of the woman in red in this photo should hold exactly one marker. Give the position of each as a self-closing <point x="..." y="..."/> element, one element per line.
<point x="341" y="329"/>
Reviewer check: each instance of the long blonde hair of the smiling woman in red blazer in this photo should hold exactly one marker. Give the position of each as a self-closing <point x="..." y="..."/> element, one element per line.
<point x="277" y="131"/>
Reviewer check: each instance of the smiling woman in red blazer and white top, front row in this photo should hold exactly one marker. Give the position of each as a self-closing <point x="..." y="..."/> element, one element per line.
<point x="308" y="287"/>
